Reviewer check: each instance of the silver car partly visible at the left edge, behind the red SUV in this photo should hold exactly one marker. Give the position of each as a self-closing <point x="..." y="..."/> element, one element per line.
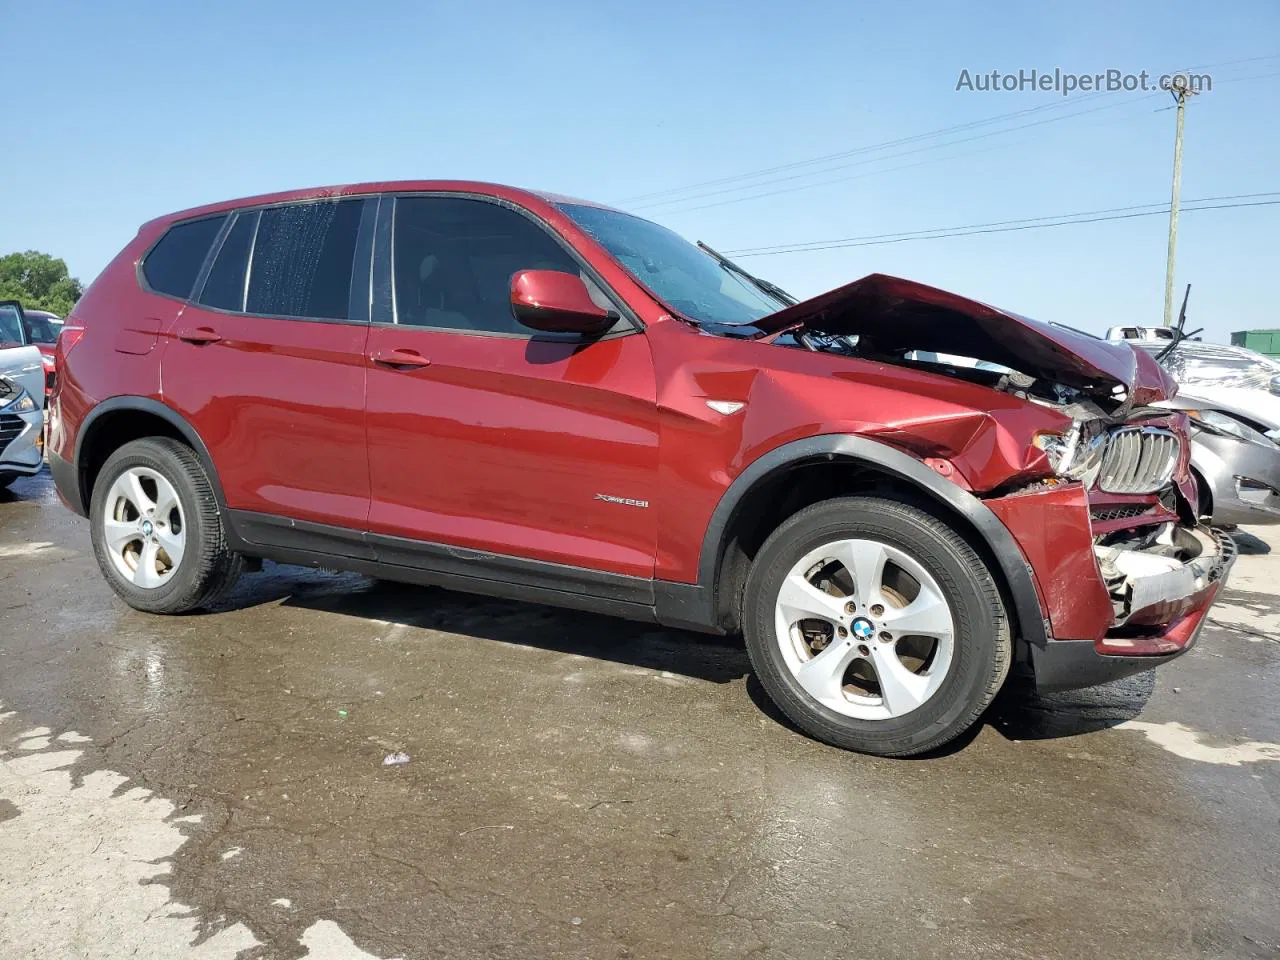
<point x="22" y="399"/>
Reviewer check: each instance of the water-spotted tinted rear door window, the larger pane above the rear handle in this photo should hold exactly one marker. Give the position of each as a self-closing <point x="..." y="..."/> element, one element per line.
<point x="304" y="259"/>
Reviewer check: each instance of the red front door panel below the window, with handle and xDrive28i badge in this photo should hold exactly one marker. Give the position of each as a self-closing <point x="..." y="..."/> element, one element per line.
<point x="504" y="444"/>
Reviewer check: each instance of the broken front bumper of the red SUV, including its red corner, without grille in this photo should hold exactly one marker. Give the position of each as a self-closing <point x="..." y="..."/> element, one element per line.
<point x="1119" y="604"/>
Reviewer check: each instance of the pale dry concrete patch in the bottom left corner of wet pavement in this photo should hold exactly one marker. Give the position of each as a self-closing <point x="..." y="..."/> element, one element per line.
<point x="100" y="852"/>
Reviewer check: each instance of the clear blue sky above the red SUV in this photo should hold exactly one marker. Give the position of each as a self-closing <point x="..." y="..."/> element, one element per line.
<point x="129" y="111"/>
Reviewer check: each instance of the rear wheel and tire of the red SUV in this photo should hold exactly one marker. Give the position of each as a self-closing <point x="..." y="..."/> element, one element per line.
<point x="185" y="516"/>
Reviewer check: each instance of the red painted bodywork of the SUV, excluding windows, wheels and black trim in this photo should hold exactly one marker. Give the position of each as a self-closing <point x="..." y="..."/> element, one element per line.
<point x="506" y="445"/>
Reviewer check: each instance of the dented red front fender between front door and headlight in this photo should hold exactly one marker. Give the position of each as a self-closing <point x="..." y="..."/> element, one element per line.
<point x="789" y="395"/>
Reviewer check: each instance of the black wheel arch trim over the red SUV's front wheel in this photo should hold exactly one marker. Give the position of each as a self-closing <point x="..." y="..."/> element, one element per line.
<point x="1013" y="564"/>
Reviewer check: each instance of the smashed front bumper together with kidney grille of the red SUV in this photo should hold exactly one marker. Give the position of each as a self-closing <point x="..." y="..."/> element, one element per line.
<point x="1126" y="573"/>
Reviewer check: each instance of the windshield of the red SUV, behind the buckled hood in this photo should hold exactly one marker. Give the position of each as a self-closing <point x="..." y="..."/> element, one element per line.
<point x="675" y="271"/>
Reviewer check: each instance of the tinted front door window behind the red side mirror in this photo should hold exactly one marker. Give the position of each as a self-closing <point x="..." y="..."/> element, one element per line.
<point x="455" y="260"/>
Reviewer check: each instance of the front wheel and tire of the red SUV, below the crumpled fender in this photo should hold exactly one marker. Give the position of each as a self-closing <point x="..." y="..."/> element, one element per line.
<point x="851" y="707"/>
